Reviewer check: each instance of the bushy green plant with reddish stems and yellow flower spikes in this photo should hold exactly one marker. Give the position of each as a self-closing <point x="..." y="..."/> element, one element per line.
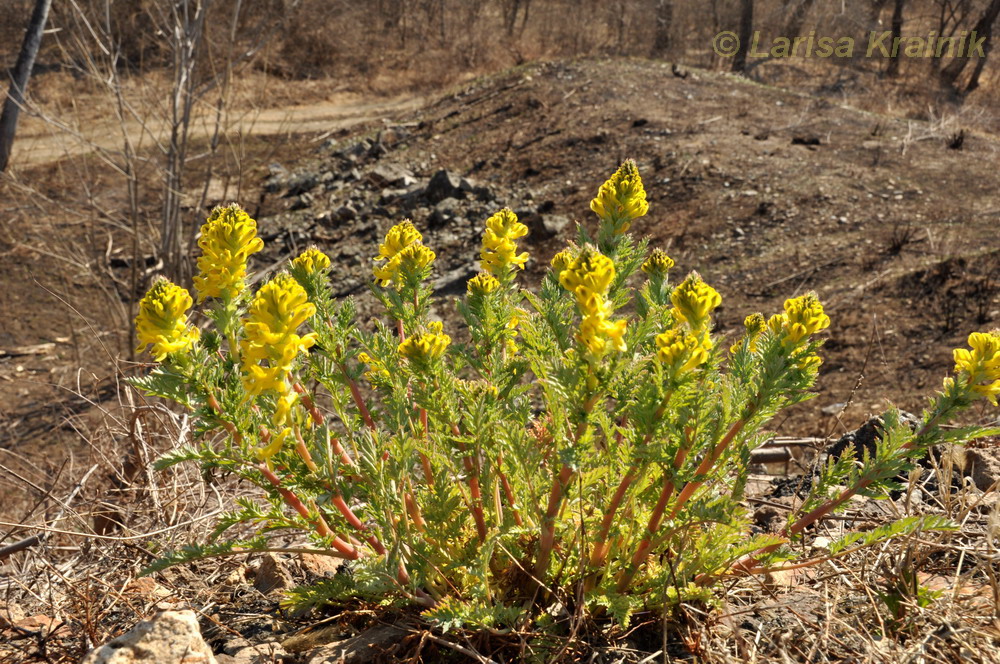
<point x="591" y="434"/>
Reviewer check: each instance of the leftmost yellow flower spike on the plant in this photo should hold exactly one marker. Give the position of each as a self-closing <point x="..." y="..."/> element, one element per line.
<point x="162" y="320"/>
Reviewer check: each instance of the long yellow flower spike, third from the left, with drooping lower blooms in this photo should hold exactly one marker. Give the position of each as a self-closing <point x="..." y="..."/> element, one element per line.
<point x="277" y="311"/>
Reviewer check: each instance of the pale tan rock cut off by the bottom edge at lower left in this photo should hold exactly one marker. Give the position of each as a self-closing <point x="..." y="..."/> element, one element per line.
<point x="171" y="637"/>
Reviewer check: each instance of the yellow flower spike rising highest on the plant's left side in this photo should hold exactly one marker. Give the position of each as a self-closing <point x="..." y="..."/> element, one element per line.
<point x="228" y="238"/>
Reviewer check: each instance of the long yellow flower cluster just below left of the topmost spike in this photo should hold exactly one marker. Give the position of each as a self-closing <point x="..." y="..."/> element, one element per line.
<point x="589" y="278"/>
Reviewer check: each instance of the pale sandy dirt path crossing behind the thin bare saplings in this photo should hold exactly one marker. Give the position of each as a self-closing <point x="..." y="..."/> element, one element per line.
<point x="41" y="141"/>
